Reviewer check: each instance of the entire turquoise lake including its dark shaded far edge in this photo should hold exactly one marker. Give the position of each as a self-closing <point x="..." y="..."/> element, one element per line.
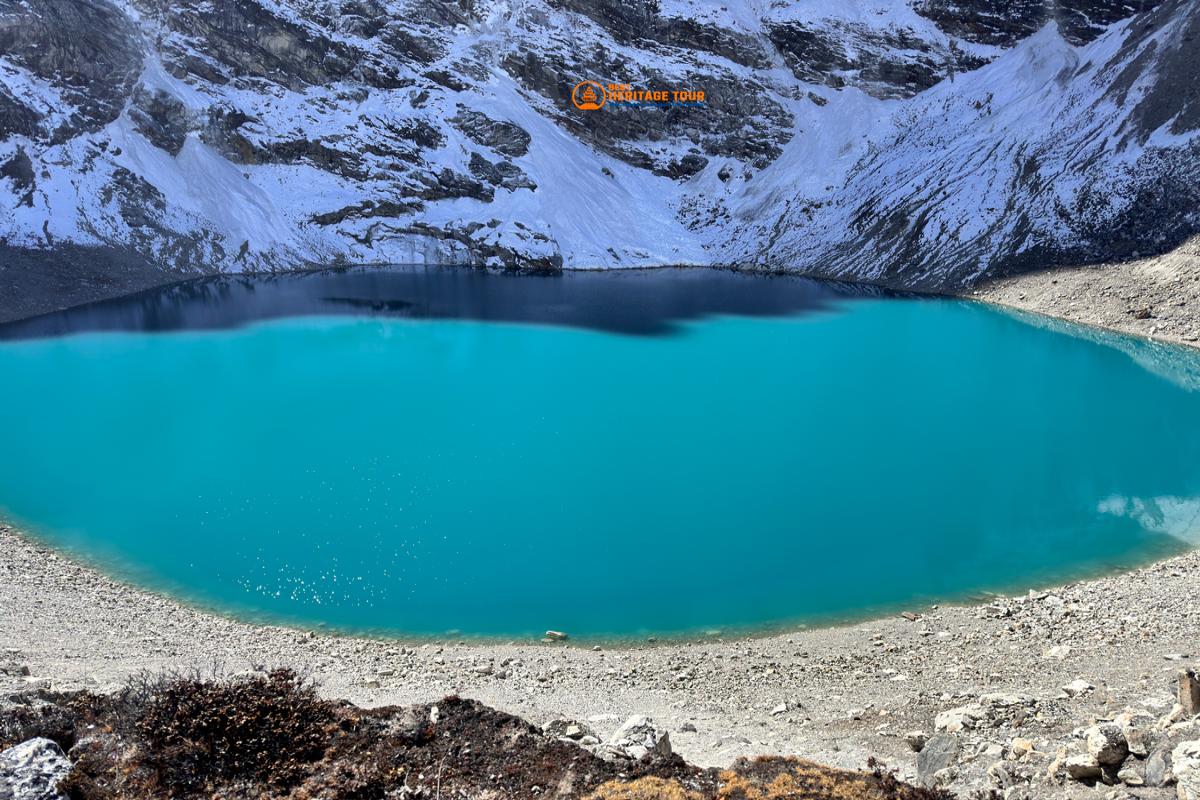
<point x="423" y="452"/>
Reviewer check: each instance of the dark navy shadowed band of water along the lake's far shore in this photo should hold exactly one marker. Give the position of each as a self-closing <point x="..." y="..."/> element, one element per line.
<point x="628" y="302"/>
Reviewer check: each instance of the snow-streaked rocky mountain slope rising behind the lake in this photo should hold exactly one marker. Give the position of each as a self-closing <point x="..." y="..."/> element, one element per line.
<point x="908" y="142"/>
